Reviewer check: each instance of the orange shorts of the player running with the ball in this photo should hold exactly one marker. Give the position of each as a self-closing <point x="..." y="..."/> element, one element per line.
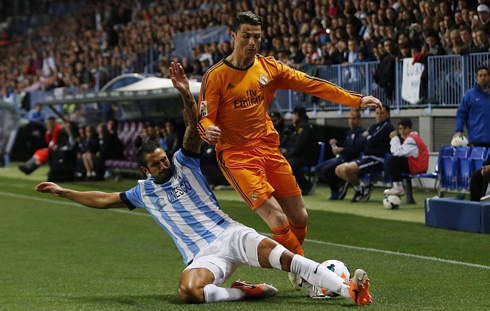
<point x="257" y="172"/>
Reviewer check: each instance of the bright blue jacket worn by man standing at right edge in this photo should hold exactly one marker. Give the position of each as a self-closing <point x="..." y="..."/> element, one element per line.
<point x="474" y="112"/>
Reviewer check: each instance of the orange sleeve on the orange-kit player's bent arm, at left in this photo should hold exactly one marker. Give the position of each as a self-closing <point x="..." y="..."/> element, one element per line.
<point x="209" y="99"/>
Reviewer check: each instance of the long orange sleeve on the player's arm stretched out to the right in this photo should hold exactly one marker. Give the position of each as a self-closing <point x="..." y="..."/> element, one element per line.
<point x="290" y="78"/>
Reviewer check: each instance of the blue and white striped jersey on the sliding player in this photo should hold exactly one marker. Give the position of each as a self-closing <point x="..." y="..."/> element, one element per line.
<point x="184" y="206"/>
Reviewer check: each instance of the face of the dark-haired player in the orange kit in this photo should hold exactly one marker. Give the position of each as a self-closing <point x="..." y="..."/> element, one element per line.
<point x="247" y="40"/>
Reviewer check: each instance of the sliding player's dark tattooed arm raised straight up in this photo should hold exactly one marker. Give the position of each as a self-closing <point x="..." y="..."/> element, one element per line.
<point x="192" y="141"/>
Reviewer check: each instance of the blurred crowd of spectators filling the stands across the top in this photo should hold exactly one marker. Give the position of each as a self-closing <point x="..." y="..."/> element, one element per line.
<point x="105" y="39"/>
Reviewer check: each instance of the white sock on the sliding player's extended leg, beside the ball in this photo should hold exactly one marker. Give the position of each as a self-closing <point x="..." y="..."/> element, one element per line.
<point x="319" y="275"/>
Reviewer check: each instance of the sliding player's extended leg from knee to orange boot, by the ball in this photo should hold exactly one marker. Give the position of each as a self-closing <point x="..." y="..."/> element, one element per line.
<point x="276" y="256"/>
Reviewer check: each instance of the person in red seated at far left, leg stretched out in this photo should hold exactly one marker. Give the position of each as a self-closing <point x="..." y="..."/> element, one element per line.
<point x="40" y="157"/>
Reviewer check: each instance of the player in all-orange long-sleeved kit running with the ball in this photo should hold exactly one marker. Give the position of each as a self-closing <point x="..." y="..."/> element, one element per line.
<point x="235" y="96"/>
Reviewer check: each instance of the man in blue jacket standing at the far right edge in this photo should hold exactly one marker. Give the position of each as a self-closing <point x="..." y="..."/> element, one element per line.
<point x="473" y="111"/>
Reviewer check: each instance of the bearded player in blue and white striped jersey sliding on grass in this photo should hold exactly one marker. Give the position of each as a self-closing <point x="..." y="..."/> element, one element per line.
<point x="211" y="243"/>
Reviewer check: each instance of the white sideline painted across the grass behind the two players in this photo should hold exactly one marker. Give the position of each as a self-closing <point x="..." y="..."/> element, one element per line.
<point x="374" y="250"/>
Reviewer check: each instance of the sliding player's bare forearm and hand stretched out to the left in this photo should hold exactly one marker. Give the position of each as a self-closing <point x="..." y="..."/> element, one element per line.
<point x="94" y="199"/>
